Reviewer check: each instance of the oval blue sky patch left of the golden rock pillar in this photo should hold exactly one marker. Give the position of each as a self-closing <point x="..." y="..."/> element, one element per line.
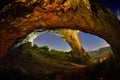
<point x="53" y="41"/>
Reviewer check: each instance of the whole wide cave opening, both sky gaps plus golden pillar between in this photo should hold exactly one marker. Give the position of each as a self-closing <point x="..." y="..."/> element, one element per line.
<point x="61" y="40"/>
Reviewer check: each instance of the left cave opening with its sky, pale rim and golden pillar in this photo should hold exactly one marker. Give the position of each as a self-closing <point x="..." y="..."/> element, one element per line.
<point x="49" y="38"/>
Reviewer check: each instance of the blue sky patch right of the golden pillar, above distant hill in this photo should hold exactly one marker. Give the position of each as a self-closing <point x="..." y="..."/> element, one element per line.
<point x="91" y="42"/>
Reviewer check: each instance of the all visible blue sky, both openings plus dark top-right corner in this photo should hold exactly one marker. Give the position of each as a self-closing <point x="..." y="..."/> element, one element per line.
<point x="89" y="42"/>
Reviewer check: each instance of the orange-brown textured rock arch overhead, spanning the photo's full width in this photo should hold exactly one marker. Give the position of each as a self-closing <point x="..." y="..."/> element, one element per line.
<point x="21" y="17"/>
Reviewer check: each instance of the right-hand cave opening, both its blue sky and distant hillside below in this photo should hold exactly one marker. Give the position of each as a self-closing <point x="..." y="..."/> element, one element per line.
<point x="96" y="47"/>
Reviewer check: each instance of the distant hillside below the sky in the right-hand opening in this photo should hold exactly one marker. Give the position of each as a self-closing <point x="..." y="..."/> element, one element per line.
<point x="102" y="52"/>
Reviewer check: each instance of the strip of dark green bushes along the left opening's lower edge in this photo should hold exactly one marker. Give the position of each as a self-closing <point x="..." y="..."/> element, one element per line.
<point x="60" y="55"/>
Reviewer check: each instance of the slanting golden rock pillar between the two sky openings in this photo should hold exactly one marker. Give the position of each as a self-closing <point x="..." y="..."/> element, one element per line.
<point x="71" y="36"/>
